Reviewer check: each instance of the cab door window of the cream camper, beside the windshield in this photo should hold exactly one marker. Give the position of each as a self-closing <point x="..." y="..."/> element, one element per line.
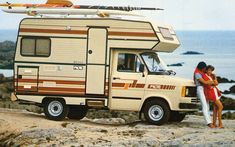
<point x="128" y="63"/>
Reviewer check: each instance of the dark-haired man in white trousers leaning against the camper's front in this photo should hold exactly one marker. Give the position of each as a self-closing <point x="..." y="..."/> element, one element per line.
<point x="199" y="81"/>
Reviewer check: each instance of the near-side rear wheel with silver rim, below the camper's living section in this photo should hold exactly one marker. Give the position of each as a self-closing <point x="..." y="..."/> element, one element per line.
<point x="55" y="109"/>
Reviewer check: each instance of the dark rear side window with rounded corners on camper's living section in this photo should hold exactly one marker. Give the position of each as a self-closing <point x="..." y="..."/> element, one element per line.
<point x="38" y="47"/>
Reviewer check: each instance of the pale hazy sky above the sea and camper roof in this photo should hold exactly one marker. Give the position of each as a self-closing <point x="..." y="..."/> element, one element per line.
<point x="180" y="14"/>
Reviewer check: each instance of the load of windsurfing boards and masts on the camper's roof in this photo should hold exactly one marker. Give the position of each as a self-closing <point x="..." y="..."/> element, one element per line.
<point x="66" y="7"/>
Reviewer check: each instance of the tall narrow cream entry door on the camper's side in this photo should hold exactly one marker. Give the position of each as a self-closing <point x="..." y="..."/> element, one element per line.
<point x="96" y="61"/>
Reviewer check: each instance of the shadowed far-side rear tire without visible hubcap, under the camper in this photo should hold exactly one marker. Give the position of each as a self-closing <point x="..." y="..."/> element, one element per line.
<point x="77" y="112"/>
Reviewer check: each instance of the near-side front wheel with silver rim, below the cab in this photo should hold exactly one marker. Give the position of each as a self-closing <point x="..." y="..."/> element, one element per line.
<point x="156" y="112"/>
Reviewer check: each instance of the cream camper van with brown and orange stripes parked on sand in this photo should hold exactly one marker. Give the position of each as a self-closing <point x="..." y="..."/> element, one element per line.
<point x="68" y="65"/>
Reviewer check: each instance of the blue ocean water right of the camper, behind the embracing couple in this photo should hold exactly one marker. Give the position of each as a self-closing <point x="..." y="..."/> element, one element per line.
<point x="218" y="48"/>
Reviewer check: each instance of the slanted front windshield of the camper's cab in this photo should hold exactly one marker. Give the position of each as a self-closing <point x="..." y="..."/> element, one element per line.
<point x="153" y="62"/>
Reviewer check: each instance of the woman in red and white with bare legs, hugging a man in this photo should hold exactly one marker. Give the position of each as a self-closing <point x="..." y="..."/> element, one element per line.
<point x="213" y="94"/>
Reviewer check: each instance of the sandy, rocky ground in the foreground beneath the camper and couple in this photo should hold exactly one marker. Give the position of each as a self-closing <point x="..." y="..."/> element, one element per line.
<point x="22" y="128"/>
